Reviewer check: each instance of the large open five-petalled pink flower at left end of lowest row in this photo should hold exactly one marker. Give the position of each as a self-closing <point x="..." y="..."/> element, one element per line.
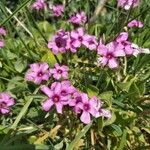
<point x="55" y="97"/>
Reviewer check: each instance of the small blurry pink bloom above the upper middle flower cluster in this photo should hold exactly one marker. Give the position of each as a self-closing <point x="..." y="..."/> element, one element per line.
<point x="78" y="18"/>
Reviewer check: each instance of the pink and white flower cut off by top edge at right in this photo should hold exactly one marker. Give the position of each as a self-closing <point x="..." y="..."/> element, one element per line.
<point x="127" y="4"/>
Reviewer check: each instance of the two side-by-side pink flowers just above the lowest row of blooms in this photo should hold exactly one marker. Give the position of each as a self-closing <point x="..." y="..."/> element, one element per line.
<point x="41" y="72"/>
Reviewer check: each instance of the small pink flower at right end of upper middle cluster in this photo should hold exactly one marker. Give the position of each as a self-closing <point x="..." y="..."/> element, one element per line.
<point x="90" y="42"/>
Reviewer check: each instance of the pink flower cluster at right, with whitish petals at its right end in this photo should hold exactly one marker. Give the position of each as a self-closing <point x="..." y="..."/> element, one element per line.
<point x="120" y="47"/>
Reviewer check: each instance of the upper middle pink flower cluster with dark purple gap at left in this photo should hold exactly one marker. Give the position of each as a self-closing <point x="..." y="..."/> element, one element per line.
<point x="63" y="41"/>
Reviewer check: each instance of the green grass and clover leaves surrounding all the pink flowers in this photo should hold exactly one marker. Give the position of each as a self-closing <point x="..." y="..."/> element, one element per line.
<point x="125" y="91"/>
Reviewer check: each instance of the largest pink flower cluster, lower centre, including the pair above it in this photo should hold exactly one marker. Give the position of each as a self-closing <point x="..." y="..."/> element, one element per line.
<point x="62" y="93"/>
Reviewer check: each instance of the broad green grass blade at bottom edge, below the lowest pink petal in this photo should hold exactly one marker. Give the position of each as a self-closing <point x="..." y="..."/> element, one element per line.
<point x="79" y="136"/>
